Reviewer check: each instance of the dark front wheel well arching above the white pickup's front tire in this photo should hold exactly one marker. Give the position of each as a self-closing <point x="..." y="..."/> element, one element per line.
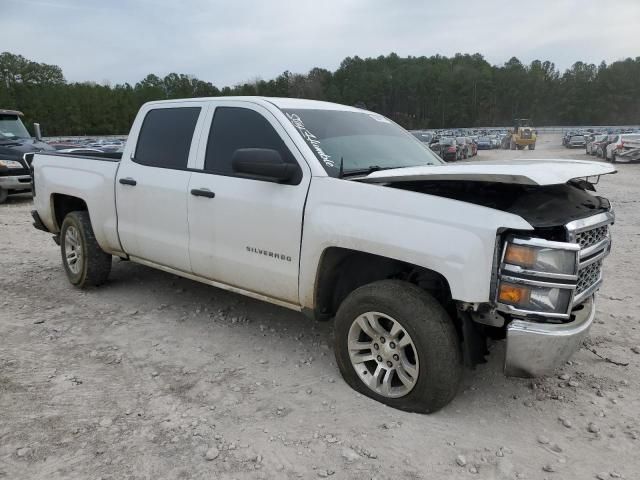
<point x="343" y="270"/>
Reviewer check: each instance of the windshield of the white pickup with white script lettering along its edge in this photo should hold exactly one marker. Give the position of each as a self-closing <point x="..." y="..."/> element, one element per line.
<point x="360" y="140"/>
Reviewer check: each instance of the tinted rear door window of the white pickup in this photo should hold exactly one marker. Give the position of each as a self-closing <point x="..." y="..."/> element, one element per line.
<point x="165" y="137"/>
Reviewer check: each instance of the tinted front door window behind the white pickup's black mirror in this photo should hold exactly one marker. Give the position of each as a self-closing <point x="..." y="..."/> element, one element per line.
<point x="235" y="128"/>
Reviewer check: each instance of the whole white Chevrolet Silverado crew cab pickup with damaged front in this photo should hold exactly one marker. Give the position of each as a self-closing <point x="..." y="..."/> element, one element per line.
<point x="339" y="213"/>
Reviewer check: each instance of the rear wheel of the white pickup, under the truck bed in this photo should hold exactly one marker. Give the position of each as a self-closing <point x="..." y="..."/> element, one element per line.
<point x="84" y="261"/>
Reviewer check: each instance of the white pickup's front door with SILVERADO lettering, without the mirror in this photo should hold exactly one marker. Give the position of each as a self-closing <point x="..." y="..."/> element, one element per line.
<point x="246" y="233"/>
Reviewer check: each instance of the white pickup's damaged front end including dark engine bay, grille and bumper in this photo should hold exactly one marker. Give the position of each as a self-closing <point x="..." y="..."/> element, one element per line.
<point x="544" y="280"/>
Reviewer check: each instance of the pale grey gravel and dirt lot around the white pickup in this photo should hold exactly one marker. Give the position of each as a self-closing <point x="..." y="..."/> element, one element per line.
<point x="152" y="376"/>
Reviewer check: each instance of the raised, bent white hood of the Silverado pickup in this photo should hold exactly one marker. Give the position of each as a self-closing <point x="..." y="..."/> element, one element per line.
<point x="523" y="172"/>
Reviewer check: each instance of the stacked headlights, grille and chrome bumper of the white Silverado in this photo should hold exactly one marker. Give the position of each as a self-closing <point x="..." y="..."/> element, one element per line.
<point x="550" y="302"/>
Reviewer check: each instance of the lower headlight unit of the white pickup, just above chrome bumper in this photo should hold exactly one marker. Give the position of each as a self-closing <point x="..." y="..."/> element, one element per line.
<point x="536" y="299"/>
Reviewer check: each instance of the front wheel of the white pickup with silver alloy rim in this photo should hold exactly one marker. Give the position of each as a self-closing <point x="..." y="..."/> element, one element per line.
<point x="396" y="344"/>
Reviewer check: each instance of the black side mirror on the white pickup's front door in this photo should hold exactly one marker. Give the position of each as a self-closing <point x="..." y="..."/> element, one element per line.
<point x="263" y="164"/>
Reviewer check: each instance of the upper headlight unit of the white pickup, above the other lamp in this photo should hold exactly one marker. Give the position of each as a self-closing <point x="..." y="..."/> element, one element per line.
<point x="541" y="258"/>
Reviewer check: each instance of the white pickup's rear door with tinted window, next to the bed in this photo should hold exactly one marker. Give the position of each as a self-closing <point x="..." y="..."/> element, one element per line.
<point x="151" y="185"/>
